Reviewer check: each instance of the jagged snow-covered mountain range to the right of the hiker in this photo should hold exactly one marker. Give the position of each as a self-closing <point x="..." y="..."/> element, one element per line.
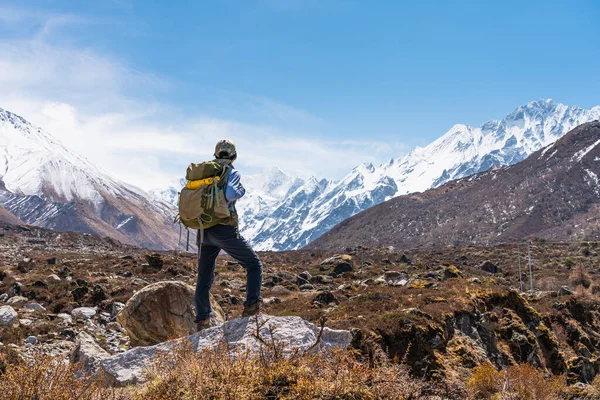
<point x="307" y="211"/>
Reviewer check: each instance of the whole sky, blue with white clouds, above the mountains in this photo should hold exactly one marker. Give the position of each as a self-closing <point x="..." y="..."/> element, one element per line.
<point x="349" y="81"/>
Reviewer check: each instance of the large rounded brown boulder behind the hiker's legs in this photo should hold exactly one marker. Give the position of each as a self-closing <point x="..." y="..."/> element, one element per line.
<point x="161" y="311"/>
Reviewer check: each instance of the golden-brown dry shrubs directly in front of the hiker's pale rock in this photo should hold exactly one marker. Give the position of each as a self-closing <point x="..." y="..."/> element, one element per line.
<point x="210" y="374"/>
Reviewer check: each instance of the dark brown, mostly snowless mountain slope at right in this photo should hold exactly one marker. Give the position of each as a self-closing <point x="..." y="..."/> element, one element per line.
<point x="552" y="194"/>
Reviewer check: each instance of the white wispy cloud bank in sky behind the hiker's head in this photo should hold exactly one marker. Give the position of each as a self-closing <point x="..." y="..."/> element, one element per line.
<point x="98" y="106"/>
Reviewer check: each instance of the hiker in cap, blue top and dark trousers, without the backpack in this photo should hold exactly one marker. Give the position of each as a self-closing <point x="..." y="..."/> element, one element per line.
<point x="225" y="236"/>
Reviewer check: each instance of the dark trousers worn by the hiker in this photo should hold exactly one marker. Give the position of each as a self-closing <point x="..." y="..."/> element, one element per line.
<point x="224" y="237"/>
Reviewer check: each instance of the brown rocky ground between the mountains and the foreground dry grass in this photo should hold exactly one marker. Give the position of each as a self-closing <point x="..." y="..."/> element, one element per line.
<point x="441" y="312"/>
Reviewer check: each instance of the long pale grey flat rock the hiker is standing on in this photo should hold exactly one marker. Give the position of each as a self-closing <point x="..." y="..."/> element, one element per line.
<point x="238" y="335"/>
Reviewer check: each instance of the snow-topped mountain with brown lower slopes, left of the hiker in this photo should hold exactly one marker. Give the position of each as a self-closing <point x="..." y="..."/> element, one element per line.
<point x="43" y="183"/>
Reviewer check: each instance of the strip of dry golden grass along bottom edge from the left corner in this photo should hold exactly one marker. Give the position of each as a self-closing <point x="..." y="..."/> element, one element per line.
<point x="215" y="375"/>
